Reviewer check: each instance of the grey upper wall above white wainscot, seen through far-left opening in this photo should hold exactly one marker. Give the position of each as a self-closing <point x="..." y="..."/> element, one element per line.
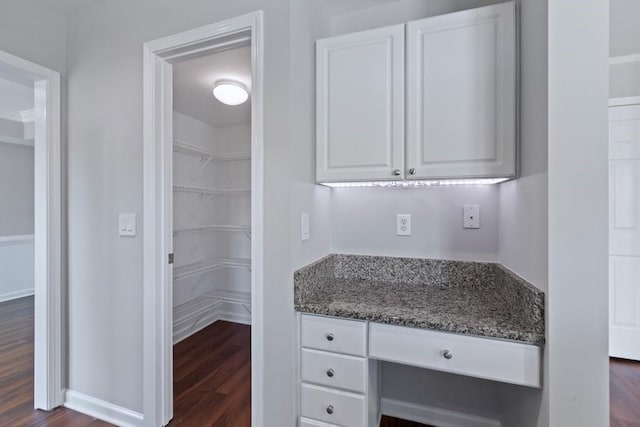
<point x="16" y="189"/>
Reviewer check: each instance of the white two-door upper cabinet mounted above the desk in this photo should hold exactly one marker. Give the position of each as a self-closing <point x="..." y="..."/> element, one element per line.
<point x="460" y="99"/>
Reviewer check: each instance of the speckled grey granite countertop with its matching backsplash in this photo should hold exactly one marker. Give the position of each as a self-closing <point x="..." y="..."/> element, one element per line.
<point x="473" y="298"/>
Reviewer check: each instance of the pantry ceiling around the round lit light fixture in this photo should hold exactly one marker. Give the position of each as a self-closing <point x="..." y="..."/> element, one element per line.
<point x="193" y="82"/>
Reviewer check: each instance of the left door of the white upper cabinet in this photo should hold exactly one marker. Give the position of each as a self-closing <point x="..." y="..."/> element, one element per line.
<point x="360" y="106"/>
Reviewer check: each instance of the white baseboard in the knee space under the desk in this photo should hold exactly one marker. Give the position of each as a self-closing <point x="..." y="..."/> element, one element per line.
<point x="434" y="416"/>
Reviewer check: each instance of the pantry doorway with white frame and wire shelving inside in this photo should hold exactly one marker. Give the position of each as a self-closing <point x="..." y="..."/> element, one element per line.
<point x="205" y="211"/>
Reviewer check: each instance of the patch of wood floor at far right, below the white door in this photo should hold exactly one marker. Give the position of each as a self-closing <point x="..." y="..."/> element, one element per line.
<point x="624" y="383"/>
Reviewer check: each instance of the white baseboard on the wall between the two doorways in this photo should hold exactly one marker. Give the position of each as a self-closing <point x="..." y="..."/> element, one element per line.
<point x="102" y="410"/>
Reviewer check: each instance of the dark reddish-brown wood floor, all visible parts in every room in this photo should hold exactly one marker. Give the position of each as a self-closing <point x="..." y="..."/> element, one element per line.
<point x="212" y="379"/>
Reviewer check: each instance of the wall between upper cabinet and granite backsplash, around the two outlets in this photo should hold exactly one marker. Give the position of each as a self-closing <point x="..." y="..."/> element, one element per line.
<point x="364" y="222"/>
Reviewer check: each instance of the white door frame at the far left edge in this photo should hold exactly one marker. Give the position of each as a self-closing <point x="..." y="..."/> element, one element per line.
<point x="47" y="391"/>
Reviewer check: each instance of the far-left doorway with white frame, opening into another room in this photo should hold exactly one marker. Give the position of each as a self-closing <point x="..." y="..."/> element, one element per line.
<point x="32" y="251"/>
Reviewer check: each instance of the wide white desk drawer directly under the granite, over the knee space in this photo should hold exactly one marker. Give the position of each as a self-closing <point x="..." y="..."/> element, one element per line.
<point x="492" y="359"/>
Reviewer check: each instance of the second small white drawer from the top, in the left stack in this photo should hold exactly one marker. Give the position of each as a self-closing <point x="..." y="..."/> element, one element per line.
<point x="334" y="370"/>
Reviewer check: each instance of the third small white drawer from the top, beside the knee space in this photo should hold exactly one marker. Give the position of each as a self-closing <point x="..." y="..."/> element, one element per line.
<point x="332" y="406"/>
